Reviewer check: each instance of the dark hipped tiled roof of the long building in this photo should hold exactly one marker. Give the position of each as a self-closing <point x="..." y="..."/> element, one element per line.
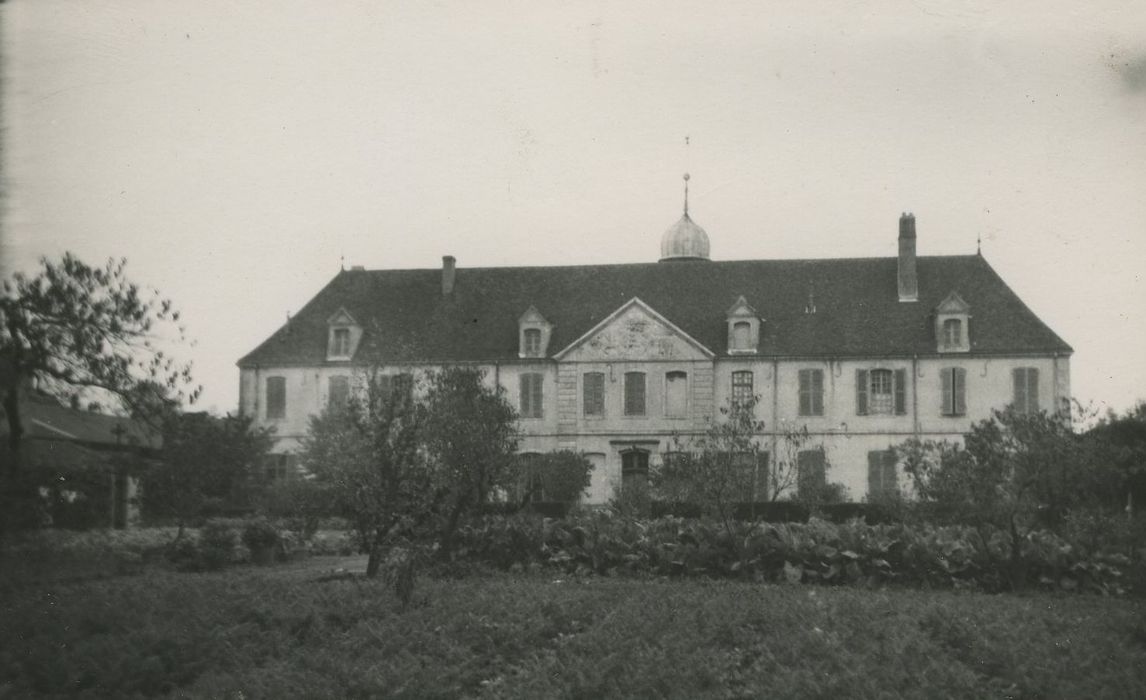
<point x="406" y="318"/>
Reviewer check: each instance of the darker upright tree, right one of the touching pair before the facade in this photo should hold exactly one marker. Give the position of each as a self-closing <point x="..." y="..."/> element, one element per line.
<point x="472" y="441"/>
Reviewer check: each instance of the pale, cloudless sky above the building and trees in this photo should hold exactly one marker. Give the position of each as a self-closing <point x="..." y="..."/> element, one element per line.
<point x="234" y="152"/>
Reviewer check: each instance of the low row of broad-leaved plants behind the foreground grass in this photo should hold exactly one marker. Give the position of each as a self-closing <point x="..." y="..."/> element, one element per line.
<point x="818" y="552"/>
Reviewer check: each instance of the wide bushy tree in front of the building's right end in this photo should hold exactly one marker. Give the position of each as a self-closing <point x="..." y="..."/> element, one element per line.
<point x="1016" y="473"/>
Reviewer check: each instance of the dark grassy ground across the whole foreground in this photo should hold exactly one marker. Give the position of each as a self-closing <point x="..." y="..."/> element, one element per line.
<point x="289" y="632"/>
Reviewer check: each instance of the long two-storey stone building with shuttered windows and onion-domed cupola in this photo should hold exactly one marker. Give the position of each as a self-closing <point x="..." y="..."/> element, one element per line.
<point x="615" y="360"/>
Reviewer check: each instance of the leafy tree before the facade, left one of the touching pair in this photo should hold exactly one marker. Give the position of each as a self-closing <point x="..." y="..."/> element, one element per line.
<point x="367" y="458"/>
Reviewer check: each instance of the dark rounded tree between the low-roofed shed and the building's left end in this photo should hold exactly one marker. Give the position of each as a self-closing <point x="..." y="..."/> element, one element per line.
<point x="207" y="462"/>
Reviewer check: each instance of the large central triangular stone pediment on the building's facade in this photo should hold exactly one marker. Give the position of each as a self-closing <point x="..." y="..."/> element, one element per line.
<point x="635" y="333"/>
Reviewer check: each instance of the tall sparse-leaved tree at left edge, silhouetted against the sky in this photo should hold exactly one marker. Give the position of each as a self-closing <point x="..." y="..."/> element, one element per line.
<point x="74" y="331"/>
